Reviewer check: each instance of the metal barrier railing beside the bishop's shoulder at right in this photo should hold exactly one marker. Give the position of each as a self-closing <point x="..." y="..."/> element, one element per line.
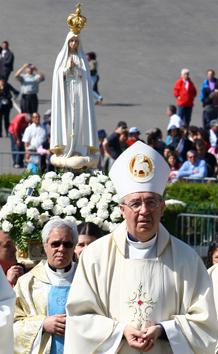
<point x="198" y="230"/>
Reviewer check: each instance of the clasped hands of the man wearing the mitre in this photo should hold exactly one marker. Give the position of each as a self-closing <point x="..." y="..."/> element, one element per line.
<point x="143" y="339"/>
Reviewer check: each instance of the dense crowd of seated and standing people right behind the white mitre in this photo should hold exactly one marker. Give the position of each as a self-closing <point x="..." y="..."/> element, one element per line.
<point x="191" y="152"/>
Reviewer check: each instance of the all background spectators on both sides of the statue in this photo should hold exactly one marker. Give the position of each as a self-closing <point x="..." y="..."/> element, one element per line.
<point x="191" y="151"/>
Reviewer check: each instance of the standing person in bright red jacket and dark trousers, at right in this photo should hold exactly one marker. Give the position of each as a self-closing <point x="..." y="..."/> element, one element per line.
<point x="184" y="90"/>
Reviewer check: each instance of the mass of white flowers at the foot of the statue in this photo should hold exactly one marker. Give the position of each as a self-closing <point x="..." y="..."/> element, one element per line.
<point x="35" y="200"/>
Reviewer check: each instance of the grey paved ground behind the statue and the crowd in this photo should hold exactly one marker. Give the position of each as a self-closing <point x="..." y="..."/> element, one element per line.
<point x="141" y="47"/>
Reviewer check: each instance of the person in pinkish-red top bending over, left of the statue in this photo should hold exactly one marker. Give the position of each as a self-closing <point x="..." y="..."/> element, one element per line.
<point x="16" y="130"/>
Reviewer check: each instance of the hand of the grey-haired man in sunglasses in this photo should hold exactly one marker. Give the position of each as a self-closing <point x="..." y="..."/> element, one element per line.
<point x="55" y="324"/>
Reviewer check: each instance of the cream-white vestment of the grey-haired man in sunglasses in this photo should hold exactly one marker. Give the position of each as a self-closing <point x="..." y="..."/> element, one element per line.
<point x="31" y="308"/>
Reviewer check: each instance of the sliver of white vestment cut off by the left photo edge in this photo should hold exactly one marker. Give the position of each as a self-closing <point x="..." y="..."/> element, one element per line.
<point x="7" y="302"/>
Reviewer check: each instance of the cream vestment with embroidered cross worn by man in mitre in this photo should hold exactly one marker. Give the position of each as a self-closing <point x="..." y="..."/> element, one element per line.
<point x="111" y="290"/>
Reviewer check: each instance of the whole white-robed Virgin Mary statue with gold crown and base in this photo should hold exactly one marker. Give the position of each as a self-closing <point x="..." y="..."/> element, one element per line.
<point x="73" y="124"/>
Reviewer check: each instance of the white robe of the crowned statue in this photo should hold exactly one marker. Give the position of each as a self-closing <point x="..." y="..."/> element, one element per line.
<point x="73" y="122"/>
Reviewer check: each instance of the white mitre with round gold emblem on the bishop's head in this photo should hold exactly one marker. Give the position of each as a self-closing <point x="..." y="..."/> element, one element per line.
<point x="139" y="168"/>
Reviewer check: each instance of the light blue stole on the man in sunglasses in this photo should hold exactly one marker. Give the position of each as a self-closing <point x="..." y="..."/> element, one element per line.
<point x="57" y="298"/>
